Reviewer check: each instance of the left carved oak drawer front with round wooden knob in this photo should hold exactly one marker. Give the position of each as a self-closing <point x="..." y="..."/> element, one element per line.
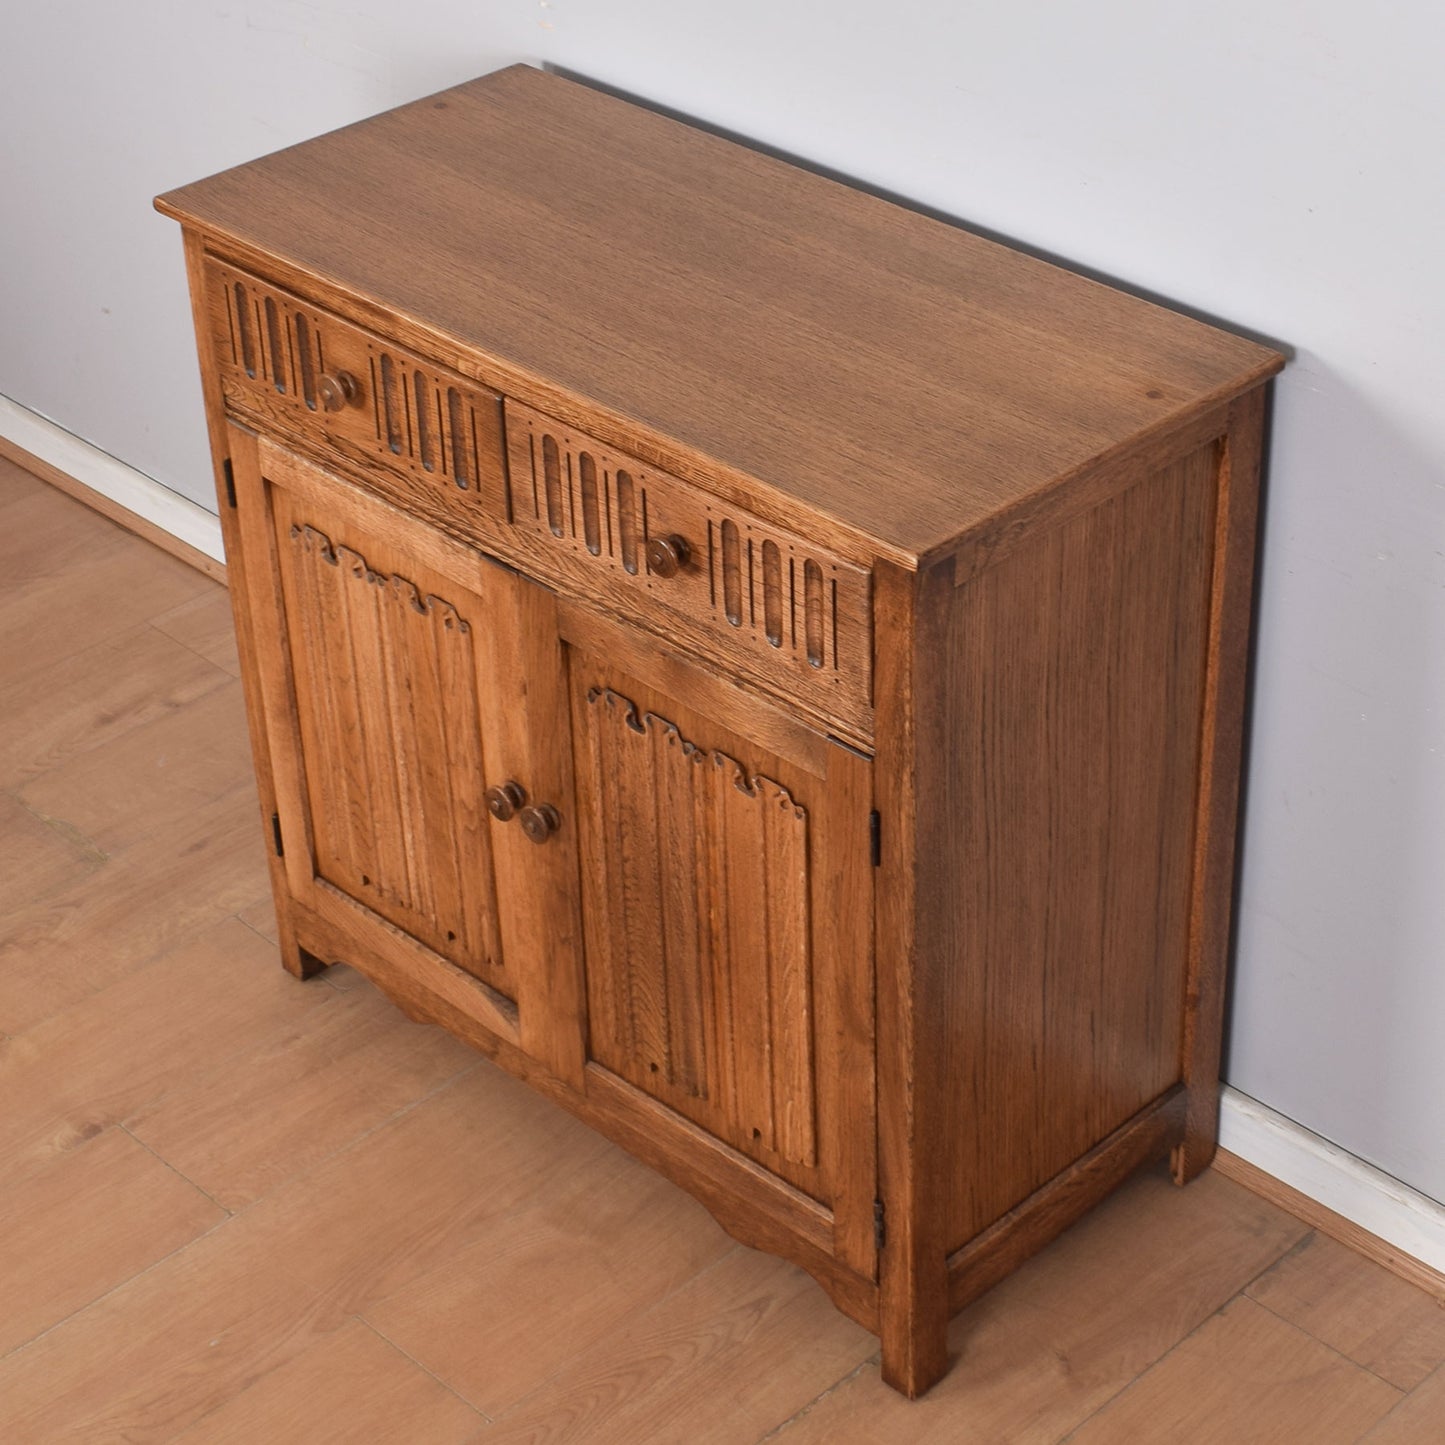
<point x="301" y="371"/>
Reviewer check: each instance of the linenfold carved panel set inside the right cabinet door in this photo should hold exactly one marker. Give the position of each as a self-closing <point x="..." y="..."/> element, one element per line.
<point x="702" y="993"/>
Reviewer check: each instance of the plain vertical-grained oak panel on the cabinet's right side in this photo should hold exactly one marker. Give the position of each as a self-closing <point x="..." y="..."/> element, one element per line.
<point x="1073" y="696"/>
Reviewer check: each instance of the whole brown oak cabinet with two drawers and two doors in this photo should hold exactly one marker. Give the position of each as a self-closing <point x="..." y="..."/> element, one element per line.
<point x="762" y="665"/>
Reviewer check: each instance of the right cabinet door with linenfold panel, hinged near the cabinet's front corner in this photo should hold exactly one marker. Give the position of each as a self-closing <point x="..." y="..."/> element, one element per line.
<point x="728" y="917"/>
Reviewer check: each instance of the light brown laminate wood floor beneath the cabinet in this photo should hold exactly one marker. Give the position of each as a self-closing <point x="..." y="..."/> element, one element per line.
<point x="235" y="1207"/>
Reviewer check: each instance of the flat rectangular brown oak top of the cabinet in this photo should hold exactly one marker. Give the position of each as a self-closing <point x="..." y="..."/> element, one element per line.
<point x="897" y="375"/>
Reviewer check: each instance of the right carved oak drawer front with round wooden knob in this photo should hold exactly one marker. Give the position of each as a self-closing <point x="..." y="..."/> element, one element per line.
<point x="759" y="600"/>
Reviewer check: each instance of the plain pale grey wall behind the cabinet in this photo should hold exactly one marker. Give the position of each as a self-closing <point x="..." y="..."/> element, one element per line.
<point x="1272" y="165"/>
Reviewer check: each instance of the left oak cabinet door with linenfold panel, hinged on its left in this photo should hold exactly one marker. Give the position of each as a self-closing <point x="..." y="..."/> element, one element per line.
<point x="404" y="676"/>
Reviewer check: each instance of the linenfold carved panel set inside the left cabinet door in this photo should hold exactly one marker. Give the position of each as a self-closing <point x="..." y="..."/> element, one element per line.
<point x="387" y="689"/>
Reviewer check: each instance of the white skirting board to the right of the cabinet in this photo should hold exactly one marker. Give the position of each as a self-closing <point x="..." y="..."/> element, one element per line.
<point x="1327" y="1174"/>
